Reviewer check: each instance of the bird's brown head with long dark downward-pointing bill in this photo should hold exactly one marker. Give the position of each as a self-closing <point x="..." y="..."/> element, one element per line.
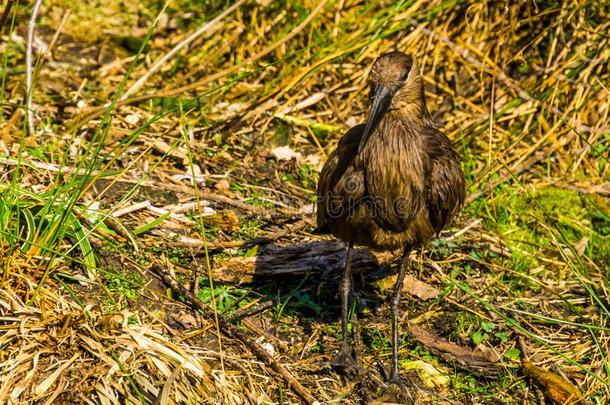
<point x="395" y="86"/>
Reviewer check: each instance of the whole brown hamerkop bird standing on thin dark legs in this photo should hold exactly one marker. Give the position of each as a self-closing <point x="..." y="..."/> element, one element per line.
<point x="393" y="182"/>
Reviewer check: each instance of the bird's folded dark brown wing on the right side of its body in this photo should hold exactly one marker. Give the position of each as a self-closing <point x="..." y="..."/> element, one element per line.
<point x="446" y="188"/>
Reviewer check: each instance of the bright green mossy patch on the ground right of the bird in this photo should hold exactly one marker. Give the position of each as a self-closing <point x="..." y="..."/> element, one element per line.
<point x="541" y="222"/>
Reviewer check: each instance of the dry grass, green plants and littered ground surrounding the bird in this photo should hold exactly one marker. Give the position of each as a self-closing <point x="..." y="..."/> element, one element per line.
<point x="121" y="168"/>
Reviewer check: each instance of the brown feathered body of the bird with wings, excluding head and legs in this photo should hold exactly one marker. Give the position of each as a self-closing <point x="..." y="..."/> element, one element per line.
<point x="402" y="188"/>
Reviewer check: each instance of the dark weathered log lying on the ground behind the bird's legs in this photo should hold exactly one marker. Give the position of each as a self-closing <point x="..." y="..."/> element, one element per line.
<point x="277" y="261"/>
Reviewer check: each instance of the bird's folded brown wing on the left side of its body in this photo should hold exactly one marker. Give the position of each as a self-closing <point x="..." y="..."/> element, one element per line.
<point x="335" y="190"/>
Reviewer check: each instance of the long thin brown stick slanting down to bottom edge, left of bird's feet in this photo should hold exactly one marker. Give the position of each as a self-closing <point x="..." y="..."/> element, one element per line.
<point x="233" y="331"/>
